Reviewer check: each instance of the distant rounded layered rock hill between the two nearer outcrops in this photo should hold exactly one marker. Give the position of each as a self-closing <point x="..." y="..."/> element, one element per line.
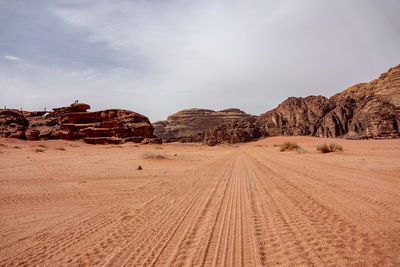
<point x="188" y="125"/>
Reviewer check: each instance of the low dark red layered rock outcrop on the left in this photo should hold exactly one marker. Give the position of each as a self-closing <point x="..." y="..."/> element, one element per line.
<point x="74" y="122"/>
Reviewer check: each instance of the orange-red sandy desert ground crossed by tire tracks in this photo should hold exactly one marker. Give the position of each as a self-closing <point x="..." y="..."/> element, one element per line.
<point x="70" y="204"/>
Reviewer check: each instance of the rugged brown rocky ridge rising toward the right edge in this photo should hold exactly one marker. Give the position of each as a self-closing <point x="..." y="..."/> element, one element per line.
<point x="367" y="110"/>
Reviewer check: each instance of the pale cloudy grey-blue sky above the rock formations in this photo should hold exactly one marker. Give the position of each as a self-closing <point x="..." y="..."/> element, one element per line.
<point x="157" y="57"/>
